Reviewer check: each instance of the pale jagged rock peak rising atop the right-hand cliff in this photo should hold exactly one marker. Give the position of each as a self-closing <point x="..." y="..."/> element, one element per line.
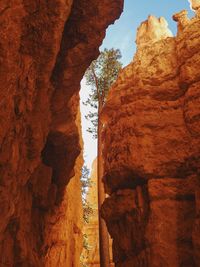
<point x="152" y="30"/>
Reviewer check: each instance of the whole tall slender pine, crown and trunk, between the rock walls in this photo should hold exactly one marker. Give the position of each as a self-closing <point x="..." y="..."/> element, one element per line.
<point x="101" y="74"/>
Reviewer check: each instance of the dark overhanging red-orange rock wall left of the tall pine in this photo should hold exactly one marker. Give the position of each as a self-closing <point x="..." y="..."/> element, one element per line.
<point x="45" y="48"/>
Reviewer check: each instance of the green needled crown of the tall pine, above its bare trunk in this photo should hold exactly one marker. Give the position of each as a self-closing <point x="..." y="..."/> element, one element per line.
<point x="100" y="76"/>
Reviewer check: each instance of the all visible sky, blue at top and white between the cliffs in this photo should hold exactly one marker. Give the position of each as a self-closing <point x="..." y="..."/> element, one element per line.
<point x="122" y="35"/>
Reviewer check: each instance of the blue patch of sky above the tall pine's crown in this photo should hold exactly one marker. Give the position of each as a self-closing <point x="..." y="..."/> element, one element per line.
<point x="122" y="34"/>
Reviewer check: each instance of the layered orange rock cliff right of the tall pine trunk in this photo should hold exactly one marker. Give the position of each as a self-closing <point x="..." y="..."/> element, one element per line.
<point x="152" y="151"/>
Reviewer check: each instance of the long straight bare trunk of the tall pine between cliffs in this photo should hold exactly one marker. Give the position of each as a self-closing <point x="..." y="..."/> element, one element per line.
<point x="103" y="232"/>
